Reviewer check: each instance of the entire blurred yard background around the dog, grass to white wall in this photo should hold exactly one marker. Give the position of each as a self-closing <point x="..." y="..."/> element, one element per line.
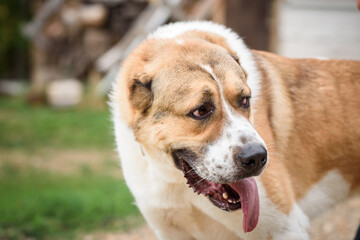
<point x="59" y="173"/>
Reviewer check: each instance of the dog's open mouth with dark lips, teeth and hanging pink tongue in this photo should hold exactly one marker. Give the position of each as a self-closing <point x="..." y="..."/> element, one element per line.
<point x="229" y="197"/>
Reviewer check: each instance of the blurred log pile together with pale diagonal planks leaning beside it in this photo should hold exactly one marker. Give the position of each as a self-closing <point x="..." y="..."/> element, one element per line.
<point x="80" y="39"/>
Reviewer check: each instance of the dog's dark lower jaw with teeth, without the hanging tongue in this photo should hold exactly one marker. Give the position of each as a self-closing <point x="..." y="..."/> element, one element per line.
<point x="221" y="195"/>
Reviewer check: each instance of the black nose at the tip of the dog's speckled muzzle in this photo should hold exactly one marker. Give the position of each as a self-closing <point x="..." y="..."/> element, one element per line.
<point x="252" y="157"/>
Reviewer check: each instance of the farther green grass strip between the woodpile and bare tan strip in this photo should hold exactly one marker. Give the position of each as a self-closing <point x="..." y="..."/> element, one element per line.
<point x="28" y="127"/>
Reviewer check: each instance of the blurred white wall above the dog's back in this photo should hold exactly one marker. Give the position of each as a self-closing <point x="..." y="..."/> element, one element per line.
<point x="317" y="28"/>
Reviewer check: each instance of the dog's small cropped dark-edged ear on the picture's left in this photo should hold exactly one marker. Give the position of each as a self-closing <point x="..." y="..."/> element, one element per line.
<point x="141" y="95"/>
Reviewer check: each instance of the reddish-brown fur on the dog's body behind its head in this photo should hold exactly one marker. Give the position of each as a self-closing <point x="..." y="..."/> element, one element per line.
<point x="325" y="117"/>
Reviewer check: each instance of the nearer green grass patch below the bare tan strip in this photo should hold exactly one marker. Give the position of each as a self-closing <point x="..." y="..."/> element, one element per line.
<point x="44" y="206"/>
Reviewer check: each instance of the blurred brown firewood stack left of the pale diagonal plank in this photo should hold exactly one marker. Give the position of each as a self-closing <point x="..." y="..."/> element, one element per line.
<point x="68" y="36"/>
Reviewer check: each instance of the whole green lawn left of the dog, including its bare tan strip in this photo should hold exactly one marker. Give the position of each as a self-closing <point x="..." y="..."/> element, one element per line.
<point x="38" y="203"/>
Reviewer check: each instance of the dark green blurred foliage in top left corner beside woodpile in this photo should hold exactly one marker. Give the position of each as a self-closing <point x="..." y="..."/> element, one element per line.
<point x="14" y="47"/>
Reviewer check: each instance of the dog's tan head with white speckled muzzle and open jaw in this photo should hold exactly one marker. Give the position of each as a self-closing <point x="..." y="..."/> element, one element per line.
<point x="189" y="98"/>
